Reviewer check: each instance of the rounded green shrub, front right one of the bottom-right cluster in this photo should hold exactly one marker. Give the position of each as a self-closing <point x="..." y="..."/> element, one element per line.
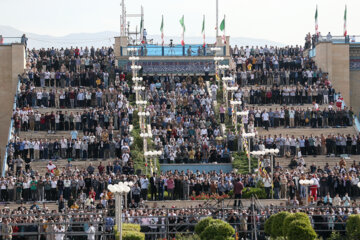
<point x="300" y="230"/>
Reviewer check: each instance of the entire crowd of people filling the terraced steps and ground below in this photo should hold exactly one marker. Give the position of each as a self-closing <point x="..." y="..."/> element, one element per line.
<point x="94" y="113"/>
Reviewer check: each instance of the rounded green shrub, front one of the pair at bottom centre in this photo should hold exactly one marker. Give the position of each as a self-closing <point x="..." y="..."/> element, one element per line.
<point x="218" y="230"/>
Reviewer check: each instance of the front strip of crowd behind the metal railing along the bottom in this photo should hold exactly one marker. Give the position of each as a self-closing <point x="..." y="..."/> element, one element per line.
<point x="38" y="221"/>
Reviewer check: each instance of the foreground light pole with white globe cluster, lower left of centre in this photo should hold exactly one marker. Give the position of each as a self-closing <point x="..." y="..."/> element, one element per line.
<point x="120" y="189"/>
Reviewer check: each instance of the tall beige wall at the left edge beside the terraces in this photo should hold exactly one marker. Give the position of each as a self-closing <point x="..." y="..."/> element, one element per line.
<point x="12" y="63"/>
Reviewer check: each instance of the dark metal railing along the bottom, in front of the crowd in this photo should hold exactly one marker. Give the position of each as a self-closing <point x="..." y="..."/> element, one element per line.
<point x="164" y="223"/>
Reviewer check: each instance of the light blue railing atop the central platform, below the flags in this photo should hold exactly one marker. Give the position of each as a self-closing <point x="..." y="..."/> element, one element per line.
<point x="175" y="50"/>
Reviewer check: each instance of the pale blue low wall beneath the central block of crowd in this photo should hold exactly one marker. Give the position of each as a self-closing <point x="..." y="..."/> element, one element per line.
<point x="207" y="167"/>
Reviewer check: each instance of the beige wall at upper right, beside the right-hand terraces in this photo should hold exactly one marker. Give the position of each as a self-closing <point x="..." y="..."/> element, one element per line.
<point x="334" y="59"/>
